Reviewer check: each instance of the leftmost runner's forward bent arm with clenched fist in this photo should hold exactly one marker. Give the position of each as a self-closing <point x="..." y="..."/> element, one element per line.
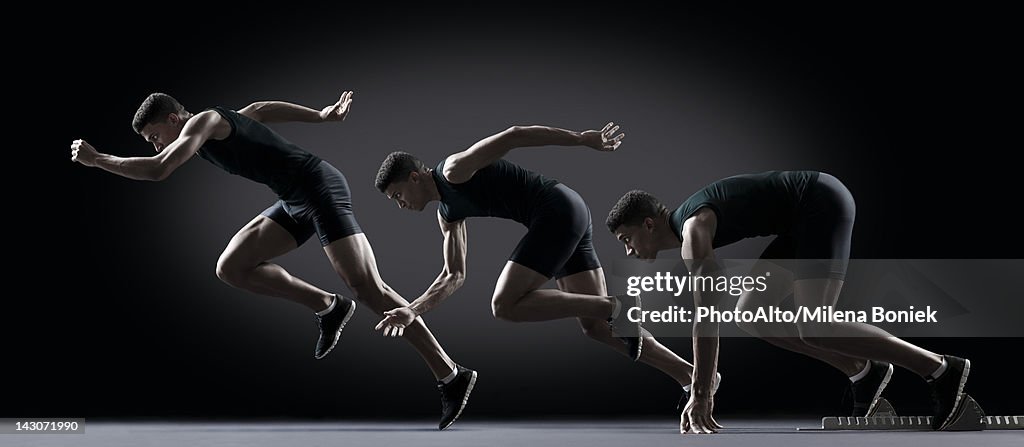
<point x="197" y="131"/>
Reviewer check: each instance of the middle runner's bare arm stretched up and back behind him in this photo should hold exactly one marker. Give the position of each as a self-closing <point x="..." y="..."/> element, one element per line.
<point x="460" y="167"/>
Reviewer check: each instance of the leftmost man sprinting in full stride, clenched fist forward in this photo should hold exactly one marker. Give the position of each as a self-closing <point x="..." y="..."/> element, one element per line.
<point x="314" y="198"/>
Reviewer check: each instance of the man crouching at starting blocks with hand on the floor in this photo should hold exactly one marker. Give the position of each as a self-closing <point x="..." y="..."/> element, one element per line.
<point x="812" y="215"/>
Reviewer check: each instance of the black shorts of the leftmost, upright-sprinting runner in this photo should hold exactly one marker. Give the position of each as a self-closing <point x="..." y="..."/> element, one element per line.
<point x="320" y="203"/>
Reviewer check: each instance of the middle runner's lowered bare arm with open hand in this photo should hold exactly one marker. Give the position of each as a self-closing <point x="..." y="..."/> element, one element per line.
<point x="451" y="279"/>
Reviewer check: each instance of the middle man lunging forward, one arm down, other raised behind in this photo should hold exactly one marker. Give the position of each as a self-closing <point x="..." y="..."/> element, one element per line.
<point x="479" y="183"/>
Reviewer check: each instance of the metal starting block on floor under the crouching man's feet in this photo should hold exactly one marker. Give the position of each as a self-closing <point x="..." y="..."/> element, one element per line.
<point x="970" y="417"/>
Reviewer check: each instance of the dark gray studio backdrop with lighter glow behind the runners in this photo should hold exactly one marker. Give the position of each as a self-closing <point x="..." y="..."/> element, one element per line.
<point x="907" y="107"/>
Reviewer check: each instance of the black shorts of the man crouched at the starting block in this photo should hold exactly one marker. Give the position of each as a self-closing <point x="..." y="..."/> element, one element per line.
<point x="820" y="241"/>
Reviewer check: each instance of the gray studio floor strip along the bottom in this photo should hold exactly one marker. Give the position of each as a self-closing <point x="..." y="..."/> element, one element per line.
<point x="475" y="433"/>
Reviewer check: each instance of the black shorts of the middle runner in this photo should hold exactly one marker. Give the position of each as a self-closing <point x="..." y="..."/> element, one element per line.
<point x="560" y="241"/>
